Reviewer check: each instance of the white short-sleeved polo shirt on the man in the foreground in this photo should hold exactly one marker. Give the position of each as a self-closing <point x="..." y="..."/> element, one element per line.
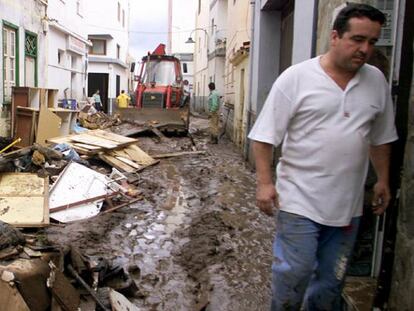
<point x="326" y="133"/>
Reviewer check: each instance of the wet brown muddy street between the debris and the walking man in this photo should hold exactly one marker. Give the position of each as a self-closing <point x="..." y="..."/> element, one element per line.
<point x="196" y="242"/>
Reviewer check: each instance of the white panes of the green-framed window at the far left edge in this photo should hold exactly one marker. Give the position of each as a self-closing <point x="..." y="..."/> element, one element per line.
<point x="9" y="62"/>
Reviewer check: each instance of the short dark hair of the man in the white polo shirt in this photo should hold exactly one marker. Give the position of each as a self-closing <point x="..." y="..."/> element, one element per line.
<point x="359" y="10"/>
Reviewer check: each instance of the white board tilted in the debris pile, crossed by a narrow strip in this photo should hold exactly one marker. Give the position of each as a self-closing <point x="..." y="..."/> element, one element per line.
<point x="74" y="184"/>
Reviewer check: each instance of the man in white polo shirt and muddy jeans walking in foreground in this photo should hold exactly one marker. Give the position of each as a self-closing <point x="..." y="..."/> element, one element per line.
<point x="332" y="113"/>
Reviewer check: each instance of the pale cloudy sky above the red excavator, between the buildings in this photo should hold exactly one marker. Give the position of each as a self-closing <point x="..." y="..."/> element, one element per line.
<point x="149" y="24"/>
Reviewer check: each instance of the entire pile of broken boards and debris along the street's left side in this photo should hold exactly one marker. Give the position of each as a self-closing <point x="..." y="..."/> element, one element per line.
<point x="70" y="179"/>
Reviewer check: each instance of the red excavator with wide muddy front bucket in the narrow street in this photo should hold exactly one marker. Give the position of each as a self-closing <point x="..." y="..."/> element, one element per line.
<point x="159" y="98"/>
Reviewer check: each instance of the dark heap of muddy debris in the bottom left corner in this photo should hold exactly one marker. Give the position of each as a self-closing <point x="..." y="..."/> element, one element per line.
<point x="36" y="276"/>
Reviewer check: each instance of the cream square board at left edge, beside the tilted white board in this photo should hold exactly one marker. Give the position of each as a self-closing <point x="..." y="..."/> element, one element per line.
<point x="24" y="200"/>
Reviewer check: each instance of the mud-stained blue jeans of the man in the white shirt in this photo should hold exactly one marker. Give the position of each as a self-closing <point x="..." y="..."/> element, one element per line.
<point x="310" y="262"/>
